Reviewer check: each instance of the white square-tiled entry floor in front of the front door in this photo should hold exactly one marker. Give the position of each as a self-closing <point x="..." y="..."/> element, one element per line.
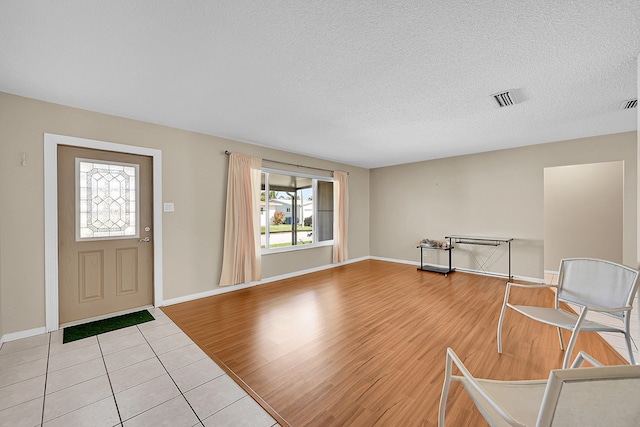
<point x="151" y="374"/>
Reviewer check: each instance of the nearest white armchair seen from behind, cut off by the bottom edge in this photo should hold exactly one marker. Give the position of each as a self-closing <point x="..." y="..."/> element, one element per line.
<point x="599" y="396"/>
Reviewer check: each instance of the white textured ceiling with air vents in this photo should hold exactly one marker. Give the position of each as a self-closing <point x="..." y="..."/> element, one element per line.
<point x="368" y="83"/>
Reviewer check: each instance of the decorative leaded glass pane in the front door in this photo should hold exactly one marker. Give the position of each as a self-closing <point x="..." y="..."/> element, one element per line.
<point x="106" y="200"/>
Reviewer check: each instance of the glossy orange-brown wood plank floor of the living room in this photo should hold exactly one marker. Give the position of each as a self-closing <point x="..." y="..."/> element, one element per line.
<point x="364" y="344"/>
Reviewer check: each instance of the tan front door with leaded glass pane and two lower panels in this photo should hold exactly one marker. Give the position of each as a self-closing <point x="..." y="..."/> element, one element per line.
<point x="105" y="215"/>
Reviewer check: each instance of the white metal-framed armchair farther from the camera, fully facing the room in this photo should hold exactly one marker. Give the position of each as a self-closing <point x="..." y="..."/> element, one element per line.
<point x="593" y="285"/>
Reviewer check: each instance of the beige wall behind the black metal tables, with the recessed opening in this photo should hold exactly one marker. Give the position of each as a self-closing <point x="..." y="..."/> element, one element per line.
<point x="498" y="193"/>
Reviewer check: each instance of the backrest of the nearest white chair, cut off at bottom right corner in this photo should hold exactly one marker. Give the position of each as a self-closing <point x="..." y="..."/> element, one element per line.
<point x="592" y="396"/>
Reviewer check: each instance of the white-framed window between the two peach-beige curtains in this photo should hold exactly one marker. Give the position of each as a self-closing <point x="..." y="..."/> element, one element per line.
<point x="296" y="210"/>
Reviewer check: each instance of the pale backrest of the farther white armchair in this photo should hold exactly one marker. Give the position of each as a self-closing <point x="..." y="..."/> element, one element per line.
<point x="597" y="283"/>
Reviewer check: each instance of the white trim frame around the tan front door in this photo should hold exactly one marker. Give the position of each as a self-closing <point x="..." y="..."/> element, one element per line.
<point x="51" y="142"/>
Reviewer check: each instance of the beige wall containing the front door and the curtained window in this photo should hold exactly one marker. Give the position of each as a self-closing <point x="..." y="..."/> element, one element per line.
<point x="194" y="179"/>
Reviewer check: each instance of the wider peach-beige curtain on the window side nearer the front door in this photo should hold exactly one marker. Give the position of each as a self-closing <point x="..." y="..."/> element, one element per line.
<point x="241" y="255"/>
